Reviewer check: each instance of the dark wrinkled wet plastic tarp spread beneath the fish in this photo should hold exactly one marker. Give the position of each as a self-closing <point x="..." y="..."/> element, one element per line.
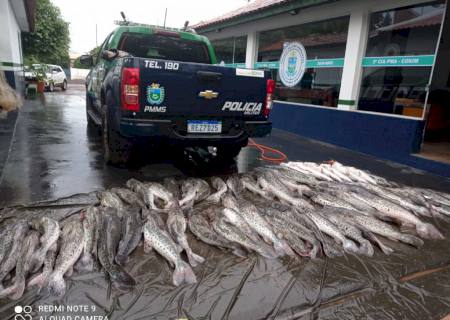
<point x="409" y="284"/>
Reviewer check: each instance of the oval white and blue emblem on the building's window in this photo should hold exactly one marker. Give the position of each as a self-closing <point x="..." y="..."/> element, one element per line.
<point x="292" y="64"/>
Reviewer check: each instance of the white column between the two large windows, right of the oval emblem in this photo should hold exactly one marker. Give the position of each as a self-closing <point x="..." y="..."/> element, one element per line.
<point x="358" y="31"/>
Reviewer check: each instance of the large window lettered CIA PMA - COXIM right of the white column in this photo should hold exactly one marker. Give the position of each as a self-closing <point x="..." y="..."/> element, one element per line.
<point x="399" y="56"/>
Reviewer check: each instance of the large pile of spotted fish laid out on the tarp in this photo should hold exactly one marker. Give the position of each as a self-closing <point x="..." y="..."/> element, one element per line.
<point x="295" y="209"/>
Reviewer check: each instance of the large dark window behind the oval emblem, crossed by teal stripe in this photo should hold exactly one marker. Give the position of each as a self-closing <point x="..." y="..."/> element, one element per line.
<point x="325" y="43"/>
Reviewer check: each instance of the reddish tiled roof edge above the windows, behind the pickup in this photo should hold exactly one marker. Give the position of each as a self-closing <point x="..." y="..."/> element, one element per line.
<point x="265" y="12"/>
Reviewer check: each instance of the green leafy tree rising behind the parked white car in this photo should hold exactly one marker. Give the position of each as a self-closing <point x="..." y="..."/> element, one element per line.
<point x="49" y="43"/>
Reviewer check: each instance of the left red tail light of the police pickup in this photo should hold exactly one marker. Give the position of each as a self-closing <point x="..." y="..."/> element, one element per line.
<point x="130" y="89"/>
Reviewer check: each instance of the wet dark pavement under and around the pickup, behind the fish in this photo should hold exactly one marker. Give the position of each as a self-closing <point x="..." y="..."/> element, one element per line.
<point x="54" y="155"/>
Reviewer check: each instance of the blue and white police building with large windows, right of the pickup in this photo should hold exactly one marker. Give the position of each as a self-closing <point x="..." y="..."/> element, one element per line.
<point x="377" y="77"/>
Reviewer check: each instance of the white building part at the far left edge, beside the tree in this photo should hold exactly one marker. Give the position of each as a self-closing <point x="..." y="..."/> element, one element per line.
<point x="16" y="16"/>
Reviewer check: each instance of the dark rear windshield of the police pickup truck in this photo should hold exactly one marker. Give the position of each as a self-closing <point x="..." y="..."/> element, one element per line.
<point x="164" y="47"/>
